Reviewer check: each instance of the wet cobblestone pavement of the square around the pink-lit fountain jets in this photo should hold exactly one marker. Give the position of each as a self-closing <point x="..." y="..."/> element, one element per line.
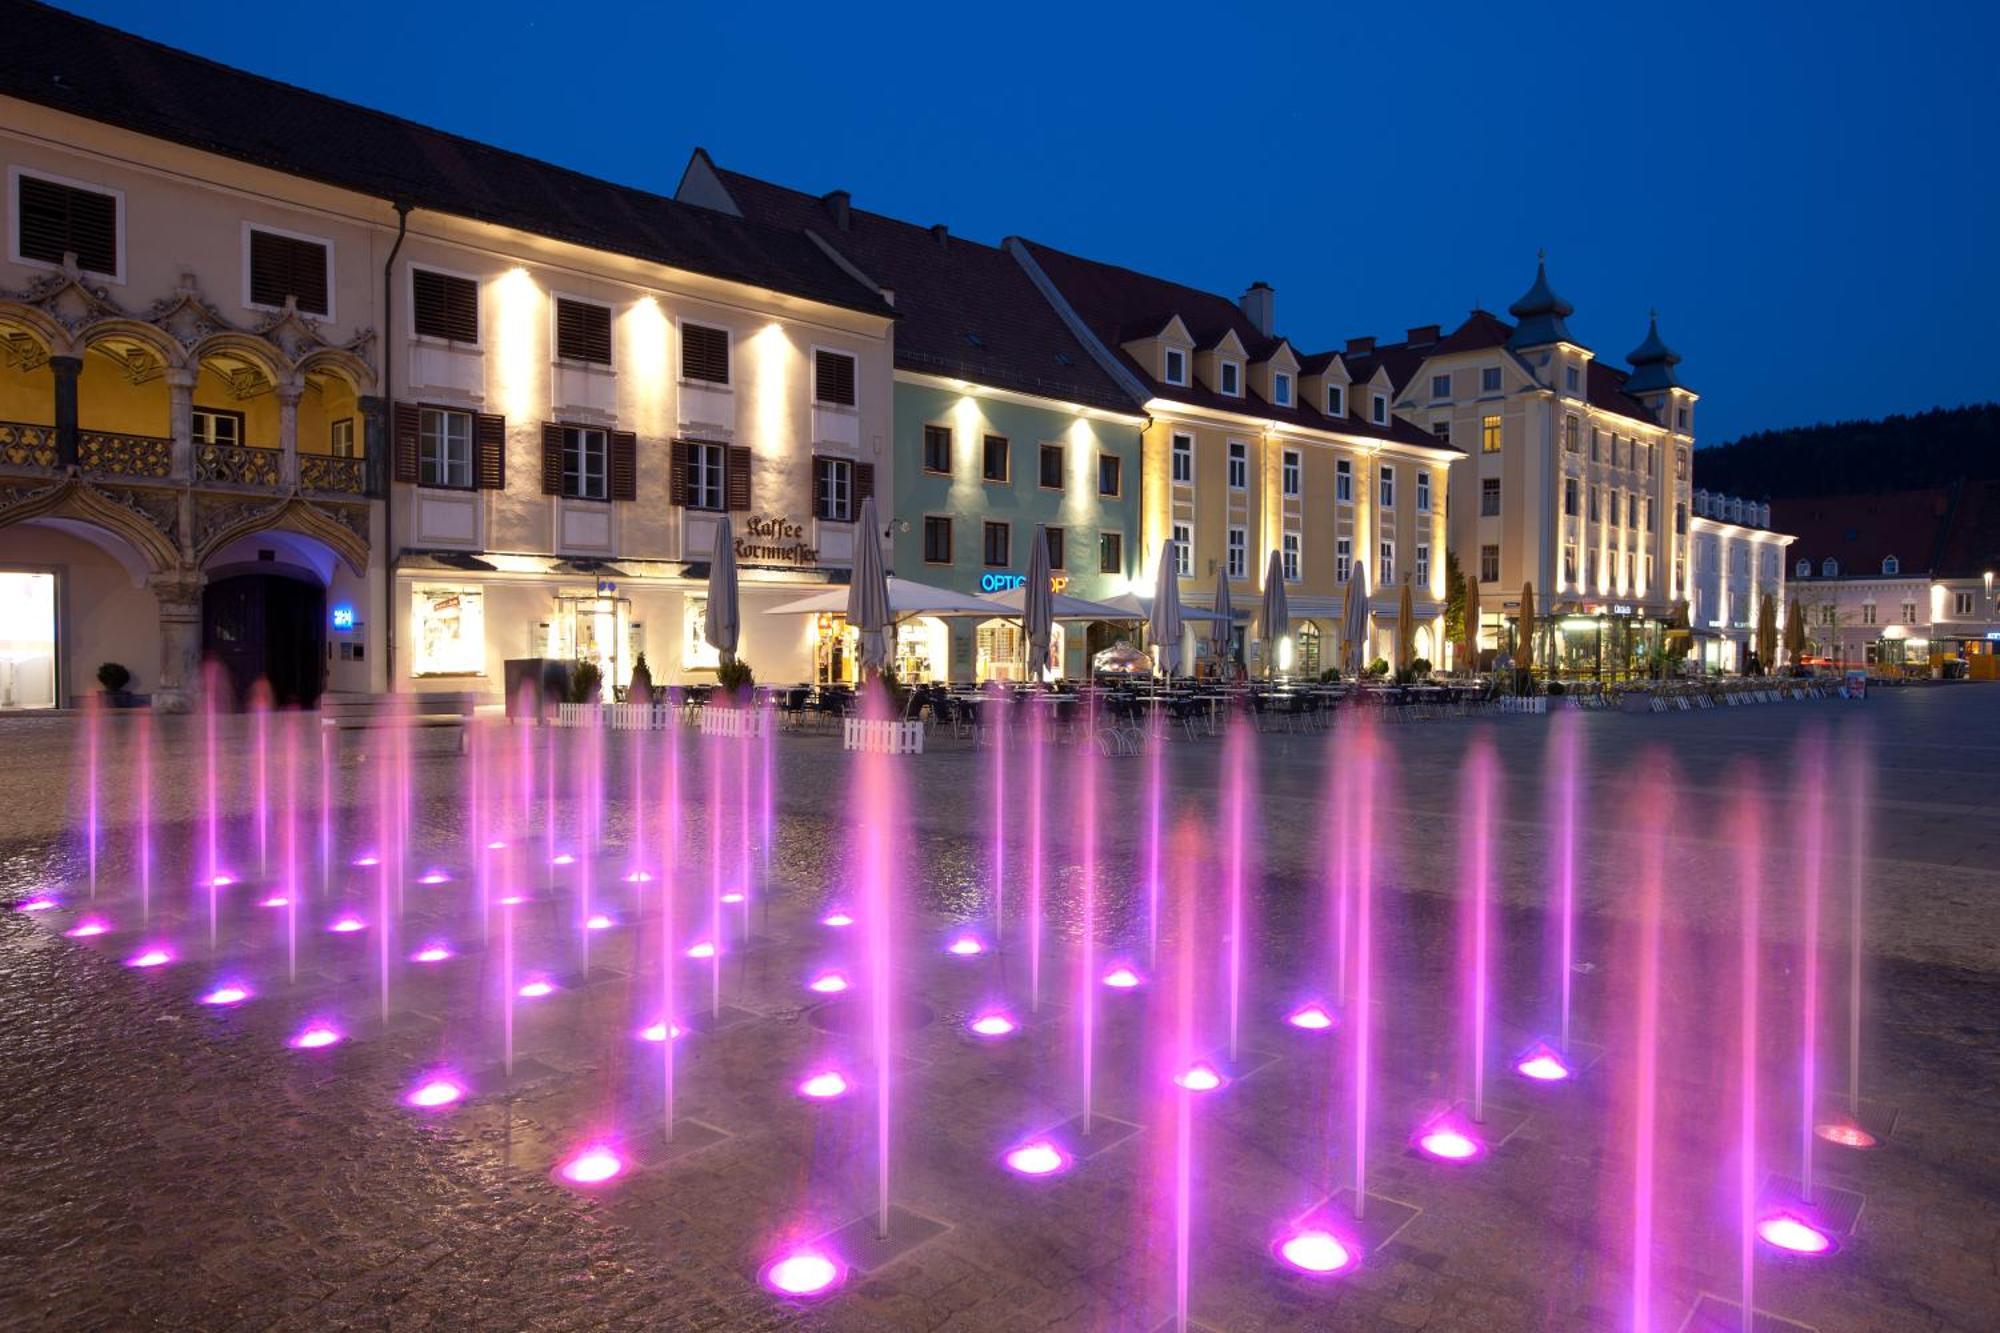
<point x="169" y="1166"/>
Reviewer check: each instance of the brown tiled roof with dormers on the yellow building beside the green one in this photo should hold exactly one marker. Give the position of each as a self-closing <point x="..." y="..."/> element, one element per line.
<point x="1121" y="305"/>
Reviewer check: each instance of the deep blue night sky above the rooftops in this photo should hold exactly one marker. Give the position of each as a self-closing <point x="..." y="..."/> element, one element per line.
<point x="1809" y="193"/>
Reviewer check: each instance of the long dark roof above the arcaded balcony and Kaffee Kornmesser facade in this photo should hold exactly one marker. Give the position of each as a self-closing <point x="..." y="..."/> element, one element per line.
<point x="119" y="79"/>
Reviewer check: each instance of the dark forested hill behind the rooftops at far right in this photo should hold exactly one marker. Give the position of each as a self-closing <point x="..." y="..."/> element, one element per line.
<point x="1847" y="457"/>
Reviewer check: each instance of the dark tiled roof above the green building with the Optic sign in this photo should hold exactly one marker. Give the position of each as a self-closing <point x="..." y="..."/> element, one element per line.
<point x="969" y="311"/>
